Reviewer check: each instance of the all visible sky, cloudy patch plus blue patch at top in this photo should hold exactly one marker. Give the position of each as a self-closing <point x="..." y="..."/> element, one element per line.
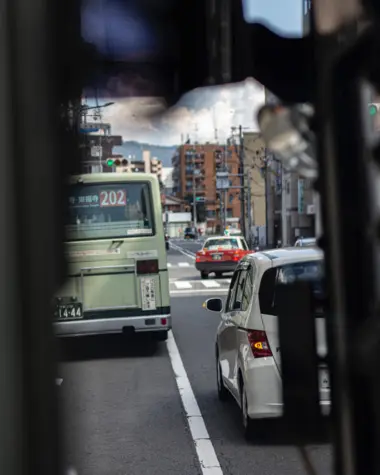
<point x="199" y="113"/>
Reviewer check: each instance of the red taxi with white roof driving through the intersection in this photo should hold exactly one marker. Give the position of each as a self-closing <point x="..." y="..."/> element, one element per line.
<point x="220" y="255"/>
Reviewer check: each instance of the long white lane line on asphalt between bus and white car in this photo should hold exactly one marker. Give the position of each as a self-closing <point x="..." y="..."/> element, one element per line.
<point x="205" y="450"/>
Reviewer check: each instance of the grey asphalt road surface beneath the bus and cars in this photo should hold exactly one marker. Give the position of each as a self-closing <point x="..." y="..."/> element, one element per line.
<point x="143" y="408"/>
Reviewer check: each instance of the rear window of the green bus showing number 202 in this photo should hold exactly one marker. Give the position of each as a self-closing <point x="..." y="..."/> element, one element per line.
<point x="117" y="210"/>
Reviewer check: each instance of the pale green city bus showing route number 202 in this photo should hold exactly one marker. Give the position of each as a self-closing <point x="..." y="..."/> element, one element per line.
<point x="115" y="244"/>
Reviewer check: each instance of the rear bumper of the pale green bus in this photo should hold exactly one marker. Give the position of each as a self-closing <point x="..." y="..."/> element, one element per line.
<point x="100" y="326"/>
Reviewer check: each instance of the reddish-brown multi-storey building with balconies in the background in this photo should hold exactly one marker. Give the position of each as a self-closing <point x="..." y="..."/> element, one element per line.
<point x="198" y="164"/>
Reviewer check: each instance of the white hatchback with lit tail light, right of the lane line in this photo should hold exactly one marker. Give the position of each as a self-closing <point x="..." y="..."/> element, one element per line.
<point x="247" y="344"/>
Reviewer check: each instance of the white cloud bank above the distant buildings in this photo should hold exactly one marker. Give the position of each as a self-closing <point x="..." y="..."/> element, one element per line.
<point x="197" y="114"/>
